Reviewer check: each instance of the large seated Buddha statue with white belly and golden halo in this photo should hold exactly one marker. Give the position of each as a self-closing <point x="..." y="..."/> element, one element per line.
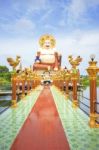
<point x="47" y="58"/>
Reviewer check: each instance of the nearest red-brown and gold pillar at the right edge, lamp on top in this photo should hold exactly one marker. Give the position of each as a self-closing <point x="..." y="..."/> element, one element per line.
<point x="92" y="72"/>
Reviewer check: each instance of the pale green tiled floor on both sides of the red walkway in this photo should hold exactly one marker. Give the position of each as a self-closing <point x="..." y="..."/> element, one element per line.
<point x="75" y="122"/>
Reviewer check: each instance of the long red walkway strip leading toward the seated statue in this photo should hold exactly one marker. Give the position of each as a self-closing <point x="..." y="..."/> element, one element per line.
<point x="43" y="129"/>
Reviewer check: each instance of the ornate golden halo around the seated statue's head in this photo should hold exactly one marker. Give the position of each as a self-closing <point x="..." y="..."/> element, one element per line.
<point x="45" y="37"/>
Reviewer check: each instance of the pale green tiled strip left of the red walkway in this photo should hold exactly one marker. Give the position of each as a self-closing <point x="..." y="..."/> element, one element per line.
<point x="12" y="120"/>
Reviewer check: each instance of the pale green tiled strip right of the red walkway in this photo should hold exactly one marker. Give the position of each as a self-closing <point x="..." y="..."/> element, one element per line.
<point x="75" y="124"/>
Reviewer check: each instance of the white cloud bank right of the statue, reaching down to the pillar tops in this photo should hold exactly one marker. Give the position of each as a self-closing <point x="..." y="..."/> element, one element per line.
<point x="83" y="43"/>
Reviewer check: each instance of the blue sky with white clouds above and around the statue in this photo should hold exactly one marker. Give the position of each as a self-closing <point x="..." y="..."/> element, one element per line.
<point x="74" y="24"/>
